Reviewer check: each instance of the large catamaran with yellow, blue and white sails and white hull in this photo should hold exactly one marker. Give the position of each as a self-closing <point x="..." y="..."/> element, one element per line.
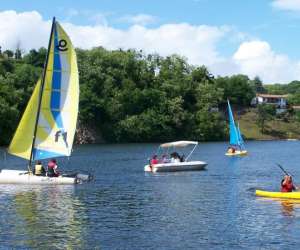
<point x="48" y="125"/>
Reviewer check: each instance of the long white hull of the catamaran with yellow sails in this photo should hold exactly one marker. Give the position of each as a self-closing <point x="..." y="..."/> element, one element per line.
<point x="22" y="177"/>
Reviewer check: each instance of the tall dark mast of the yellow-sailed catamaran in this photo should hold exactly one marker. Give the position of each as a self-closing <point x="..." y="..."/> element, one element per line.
<point x="40" y="95"/>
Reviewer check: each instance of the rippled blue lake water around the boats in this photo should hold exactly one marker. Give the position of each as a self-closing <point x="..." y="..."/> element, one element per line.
<point x="125" y="208"/>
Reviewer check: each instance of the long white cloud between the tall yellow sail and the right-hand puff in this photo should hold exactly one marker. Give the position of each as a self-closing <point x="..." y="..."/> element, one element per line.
<point x="197" y="43"/>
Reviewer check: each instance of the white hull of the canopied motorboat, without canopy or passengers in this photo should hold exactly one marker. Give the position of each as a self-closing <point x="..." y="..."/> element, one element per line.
<point x="175" y="167"/>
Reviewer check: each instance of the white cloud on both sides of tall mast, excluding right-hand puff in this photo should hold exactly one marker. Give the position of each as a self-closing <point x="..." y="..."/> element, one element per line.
<point x="197" y="43"/>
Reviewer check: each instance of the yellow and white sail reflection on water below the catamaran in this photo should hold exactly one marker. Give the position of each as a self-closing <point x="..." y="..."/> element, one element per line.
<point x="45" y="216"/>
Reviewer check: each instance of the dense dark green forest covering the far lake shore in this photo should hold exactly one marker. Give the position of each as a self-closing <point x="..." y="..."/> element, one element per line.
<point x="129" y="96"/>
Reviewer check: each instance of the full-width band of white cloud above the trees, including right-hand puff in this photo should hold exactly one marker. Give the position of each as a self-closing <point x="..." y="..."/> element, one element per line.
<point x="200" y="44"/>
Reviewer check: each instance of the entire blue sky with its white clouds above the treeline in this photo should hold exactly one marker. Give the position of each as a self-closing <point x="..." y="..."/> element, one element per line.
<point x="232" y="36"/>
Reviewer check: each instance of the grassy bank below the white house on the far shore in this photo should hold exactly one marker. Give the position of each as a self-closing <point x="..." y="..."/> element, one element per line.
<point x="274" y="129"/>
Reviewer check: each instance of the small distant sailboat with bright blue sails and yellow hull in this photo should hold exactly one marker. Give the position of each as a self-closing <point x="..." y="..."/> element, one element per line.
<point x="237" y="145"/>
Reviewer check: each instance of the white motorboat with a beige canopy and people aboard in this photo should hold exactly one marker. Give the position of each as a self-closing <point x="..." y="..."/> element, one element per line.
<point x="175" y="162"/>
